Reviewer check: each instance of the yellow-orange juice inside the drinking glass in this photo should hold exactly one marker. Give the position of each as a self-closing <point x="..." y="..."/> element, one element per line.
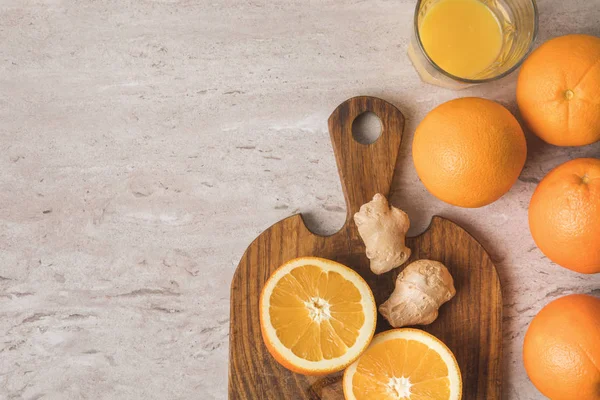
<point x="463" y="37"/>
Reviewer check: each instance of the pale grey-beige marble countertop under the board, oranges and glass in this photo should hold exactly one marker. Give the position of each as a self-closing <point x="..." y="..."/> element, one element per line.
<point x="144" y="144"/>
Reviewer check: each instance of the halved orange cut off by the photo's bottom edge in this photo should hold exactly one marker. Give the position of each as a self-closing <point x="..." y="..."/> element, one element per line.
<point x="404" y="364"/>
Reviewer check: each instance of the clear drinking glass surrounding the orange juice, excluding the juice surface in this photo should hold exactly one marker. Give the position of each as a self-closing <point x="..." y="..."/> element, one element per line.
<point x="519" y="22"/>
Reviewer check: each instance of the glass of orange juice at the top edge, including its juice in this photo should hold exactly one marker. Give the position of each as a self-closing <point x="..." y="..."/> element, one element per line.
<point x="458" y="43"/>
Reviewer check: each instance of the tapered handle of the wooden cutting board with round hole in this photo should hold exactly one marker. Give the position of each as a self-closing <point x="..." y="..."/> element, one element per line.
<point x="365" y="169"/>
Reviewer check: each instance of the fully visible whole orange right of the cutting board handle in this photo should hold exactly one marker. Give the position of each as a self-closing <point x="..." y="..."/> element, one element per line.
<point x="469" y="151"/>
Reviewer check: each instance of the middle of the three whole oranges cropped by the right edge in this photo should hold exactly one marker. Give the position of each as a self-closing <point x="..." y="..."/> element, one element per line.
<point x="564" y="215"/>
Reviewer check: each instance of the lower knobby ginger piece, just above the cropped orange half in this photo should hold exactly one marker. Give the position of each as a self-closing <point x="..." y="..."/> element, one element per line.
<point x="421" y="288"/>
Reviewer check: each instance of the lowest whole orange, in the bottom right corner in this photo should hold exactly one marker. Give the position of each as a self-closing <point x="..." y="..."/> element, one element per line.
<point x="561" y="351"/>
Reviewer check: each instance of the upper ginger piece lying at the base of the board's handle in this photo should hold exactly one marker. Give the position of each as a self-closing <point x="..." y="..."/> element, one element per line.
<point x="383" y="230"/>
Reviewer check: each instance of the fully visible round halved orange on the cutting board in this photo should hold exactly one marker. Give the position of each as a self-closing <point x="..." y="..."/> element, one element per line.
<point x="316" y="315"/>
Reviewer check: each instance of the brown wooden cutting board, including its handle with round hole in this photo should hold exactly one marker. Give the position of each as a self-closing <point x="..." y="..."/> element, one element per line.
<point x="470" y="324"/>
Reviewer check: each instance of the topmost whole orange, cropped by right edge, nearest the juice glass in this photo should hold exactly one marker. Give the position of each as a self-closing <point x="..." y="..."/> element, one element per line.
<point x="559" y="88"/>
